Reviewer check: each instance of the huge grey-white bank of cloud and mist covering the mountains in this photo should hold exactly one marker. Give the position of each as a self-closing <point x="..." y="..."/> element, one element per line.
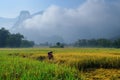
<point x="92" y="19"/>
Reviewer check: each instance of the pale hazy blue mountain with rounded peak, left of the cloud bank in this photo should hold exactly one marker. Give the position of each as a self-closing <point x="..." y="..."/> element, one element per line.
<point x="11" y="23"/>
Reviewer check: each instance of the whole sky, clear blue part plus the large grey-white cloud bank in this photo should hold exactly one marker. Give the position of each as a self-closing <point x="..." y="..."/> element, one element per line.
<point x="67" y="20"/>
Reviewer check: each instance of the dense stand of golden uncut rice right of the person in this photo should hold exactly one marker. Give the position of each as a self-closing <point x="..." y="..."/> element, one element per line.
<point x="87" y="61"/>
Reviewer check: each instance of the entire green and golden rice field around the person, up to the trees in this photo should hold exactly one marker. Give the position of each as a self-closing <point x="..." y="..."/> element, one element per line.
<point x="68" y="64"/>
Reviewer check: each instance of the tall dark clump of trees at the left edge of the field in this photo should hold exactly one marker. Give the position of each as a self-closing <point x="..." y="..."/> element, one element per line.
<point x="13" y="40"/>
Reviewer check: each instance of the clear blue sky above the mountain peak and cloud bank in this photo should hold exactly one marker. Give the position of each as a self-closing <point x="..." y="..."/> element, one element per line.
<point x="11" y="8"/>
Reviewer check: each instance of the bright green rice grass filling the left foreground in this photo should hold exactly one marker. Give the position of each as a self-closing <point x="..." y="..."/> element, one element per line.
<point x="15" y="68"/>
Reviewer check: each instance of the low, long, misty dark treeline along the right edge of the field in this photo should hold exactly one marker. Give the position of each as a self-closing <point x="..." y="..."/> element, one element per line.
<point x="98" y="43"/>
